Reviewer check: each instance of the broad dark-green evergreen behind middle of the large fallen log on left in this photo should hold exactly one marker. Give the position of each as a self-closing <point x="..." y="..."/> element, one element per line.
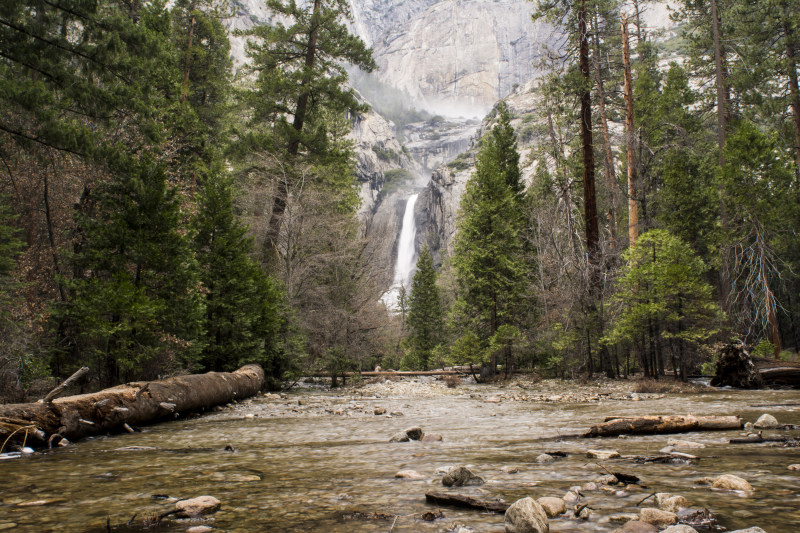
<point x="135" y="310"/>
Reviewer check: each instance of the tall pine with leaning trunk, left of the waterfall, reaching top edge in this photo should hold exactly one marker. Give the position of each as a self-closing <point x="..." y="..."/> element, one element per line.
<point x="300" y="82"/>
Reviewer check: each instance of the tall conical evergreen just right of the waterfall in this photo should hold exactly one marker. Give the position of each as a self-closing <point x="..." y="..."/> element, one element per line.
<point x="488" y="250"/>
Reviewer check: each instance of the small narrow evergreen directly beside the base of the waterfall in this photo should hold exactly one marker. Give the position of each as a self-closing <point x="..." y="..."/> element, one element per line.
<point x="425" y="316"/>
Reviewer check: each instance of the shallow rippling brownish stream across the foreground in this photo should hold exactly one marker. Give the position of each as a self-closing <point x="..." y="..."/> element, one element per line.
<point x="307" y="462"/>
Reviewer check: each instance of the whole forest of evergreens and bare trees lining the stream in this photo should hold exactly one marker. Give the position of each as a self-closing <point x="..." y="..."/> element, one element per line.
<point x="164" y="211"/>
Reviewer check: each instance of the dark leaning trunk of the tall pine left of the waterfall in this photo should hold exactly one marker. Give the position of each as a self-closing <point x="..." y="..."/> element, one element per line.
<point x="282" y="189"/>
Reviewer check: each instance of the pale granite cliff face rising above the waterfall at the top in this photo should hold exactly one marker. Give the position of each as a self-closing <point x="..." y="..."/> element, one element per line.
<point x="464" y="54"/>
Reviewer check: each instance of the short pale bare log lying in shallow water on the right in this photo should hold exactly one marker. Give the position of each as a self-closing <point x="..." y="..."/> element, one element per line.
<point x="652" y="425"/>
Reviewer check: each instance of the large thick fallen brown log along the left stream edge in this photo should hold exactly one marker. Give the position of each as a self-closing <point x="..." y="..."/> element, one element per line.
<point x="137" y="403"/>
